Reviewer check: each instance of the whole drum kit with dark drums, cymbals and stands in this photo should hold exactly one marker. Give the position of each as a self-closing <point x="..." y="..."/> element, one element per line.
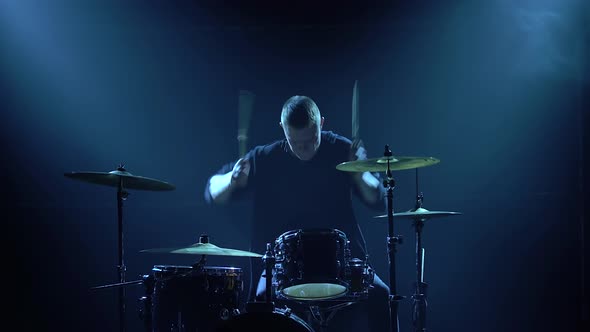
<point x="201" y="297"/>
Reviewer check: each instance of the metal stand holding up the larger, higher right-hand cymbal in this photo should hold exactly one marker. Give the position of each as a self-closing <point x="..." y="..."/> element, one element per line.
<point x="392" y="241"/>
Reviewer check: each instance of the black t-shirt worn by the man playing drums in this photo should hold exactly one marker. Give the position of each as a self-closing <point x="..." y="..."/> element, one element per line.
<point x="289" y="194"/>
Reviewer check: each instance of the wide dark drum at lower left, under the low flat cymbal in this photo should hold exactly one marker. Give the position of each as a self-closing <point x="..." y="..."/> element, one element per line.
<point x="186" y="298"/>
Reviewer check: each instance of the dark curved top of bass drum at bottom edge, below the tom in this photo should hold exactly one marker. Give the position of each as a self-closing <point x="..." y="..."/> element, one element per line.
<point x="266" y="321"/>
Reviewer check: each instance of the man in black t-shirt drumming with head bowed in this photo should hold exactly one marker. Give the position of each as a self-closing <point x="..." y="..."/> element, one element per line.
<point x="294" y="184"/>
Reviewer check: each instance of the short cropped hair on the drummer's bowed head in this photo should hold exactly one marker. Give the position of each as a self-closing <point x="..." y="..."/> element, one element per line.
<point x="300" y="112"/>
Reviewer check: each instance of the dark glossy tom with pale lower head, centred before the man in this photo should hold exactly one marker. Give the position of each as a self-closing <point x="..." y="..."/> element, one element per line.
<point x="311" y="264"/>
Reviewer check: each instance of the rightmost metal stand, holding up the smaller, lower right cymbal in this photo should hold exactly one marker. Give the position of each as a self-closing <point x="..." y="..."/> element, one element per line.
<point x="419" y="302"/>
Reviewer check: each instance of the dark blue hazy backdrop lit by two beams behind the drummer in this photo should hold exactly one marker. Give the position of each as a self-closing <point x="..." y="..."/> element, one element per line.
<point x="497" y="90"/>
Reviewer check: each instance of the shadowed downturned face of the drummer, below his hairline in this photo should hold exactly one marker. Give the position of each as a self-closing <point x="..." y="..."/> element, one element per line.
<point x="304" y="142"/>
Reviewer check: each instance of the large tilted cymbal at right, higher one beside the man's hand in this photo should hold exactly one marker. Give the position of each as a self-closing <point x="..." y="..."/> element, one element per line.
<point x="396" y="163"/>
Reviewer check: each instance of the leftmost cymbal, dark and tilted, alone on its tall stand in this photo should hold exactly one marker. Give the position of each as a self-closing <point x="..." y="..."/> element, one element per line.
<point x="129" y="180"/>
